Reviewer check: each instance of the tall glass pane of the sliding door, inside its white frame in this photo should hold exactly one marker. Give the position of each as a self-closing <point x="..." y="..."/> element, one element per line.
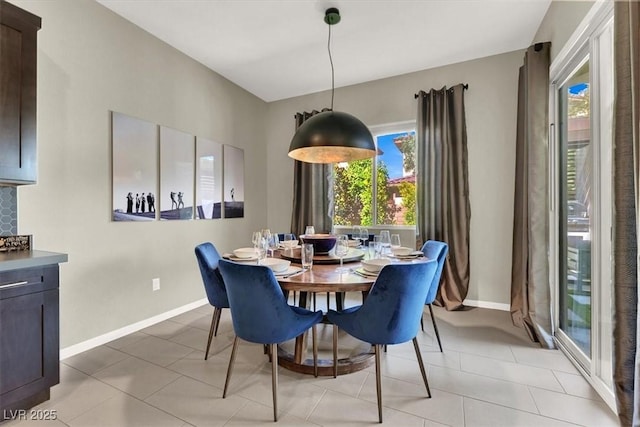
<point x="575" y="204"/>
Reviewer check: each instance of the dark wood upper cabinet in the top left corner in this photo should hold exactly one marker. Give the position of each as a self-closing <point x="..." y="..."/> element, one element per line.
<point x="18" y="54"/>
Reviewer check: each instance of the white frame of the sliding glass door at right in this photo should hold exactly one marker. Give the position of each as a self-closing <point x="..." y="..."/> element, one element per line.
<point x="589" y="43"/>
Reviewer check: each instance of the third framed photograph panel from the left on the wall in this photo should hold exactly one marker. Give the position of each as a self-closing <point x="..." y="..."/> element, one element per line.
<point x="208" y="179"/>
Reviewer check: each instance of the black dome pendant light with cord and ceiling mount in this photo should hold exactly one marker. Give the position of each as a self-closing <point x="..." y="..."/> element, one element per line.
<point x="332" y="136"/>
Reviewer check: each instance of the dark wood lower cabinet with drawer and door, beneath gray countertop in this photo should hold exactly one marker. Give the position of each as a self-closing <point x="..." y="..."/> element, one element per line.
<point x="29" y="336"/>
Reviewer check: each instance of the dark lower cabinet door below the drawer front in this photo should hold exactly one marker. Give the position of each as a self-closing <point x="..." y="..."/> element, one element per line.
<point x="29" y="327"/>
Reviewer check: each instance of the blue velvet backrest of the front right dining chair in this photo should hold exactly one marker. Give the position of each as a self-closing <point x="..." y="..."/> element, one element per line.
<point x="392" y="311"/>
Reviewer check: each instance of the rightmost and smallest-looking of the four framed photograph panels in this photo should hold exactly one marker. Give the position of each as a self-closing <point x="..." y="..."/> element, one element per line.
<point x="233" y="182"/>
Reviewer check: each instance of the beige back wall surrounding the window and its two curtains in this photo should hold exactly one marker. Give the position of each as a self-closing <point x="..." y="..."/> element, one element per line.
<point x="491" y="127"/>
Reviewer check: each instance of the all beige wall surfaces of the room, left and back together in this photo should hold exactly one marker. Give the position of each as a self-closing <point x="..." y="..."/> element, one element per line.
<point x="91" y="62"/>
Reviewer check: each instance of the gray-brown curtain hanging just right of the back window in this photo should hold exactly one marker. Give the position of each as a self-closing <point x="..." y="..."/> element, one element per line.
<point x="442" y="198"/>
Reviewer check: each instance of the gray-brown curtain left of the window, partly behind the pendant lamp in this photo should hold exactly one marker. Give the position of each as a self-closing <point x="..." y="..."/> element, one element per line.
<point x="312" y="191"/>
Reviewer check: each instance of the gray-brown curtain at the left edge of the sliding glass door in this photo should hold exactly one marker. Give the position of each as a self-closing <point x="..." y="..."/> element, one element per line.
<point x="530" y="288"/>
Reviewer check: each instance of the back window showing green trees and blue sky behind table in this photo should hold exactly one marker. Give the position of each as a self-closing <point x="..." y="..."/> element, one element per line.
<point x="379" y="191"/>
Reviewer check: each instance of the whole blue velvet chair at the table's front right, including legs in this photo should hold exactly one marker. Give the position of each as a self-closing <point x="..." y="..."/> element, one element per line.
<point x="389" y="315"/>
